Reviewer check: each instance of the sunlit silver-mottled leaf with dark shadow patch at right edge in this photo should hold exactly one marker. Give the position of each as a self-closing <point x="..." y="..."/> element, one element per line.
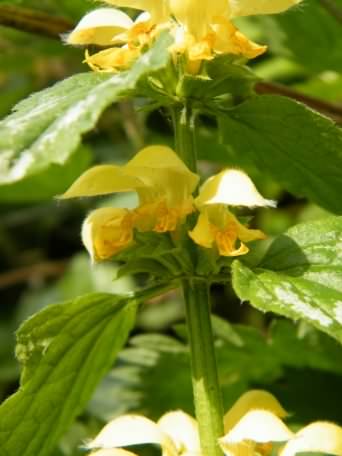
<point x="300" y="276"/>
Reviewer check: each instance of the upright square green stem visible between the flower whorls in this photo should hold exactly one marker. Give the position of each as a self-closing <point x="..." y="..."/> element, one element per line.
<point x="206" y="390"/>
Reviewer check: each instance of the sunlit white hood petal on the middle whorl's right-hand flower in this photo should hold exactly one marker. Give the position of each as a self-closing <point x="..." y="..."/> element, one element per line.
<point x="231" y="187"/>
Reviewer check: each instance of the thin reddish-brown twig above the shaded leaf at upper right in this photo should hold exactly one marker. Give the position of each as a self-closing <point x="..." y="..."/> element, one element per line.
<point x="332" y="110"/>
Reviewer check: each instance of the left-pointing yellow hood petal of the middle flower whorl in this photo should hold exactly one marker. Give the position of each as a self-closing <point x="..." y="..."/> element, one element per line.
<point x="102" y="180"/>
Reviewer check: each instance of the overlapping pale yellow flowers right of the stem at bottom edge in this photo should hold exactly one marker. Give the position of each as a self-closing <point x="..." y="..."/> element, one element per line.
<point x="254" y="423"/>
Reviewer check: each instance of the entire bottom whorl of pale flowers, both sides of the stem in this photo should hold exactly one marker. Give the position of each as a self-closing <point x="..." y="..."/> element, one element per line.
<point x="252" y="426"/>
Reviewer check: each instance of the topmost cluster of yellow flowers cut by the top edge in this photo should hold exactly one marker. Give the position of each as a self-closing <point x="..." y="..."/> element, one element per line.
<point x="201" y="30"/>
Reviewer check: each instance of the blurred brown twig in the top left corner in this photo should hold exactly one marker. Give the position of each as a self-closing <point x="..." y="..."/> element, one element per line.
<point x="32" y="21"/>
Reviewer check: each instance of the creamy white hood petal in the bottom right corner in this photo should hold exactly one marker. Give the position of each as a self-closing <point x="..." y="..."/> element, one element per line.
<point x="322" y="437"/>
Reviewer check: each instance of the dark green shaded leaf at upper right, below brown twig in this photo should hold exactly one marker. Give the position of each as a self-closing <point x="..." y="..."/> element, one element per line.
<point x="294" y="145"/>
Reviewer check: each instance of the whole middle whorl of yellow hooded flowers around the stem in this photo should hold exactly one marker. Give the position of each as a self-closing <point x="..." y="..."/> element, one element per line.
<point x="164" y="186"/>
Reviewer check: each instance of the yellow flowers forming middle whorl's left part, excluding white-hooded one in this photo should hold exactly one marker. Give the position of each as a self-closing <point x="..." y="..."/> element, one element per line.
<point x="164" y="186"/>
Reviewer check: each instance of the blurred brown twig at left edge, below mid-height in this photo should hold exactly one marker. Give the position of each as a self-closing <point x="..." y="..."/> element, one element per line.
<point x="37" y="271"/>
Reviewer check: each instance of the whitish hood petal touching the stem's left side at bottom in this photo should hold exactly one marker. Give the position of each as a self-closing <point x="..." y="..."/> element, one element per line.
<point x="183" y="431"/>
